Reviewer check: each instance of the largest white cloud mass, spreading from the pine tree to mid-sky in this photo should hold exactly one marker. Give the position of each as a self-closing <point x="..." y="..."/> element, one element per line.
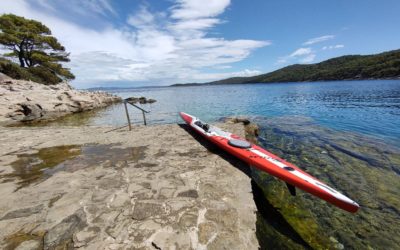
<point x="167" y="47"/>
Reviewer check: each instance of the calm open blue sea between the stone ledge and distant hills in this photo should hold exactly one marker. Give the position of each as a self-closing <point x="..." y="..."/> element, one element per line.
<point x="371" y="108"/>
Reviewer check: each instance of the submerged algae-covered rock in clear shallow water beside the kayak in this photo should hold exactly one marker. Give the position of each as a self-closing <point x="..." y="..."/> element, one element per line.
<point x="365" y="169"/>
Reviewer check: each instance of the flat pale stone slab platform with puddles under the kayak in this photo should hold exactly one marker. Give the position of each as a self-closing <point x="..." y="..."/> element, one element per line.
<point x="156" y="187"/>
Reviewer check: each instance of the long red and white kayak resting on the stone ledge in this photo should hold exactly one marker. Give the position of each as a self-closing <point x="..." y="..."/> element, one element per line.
<point x="263" y="160"/>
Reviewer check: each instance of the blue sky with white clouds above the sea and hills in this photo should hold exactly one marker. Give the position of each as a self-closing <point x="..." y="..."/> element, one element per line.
<point x="131" y="43"/>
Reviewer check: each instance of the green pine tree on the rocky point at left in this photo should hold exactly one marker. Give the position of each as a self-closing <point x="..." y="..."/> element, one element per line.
<point x="32" y="44"/>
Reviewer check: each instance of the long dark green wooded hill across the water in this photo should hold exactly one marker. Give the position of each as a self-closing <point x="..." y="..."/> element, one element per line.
<point x="353" y="67"/>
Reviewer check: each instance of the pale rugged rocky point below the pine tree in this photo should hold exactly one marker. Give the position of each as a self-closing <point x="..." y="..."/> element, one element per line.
<point x="26" y="101"/>
